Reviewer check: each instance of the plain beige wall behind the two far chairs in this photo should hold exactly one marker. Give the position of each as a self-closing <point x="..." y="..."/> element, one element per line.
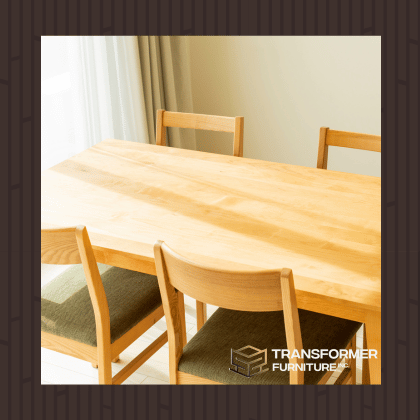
<point x="287" y="88"/>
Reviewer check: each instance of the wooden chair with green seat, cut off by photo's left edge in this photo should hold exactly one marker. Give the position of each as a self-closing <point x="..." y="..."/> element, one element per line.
<point x="98" y="321"/>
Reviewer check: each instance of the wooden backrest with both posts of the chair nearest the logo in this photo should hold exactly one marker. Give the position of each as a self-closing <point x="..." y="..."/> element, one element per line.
<point x="255" y="291"/>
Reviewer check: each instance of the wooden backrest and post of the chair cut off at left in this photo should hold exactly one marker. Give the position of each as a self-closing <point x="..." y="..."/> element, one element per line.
<point x="72" y="246"/>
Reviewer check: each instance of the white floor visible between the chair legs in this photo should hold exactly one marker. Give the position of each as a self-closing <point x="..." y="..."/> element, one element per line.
<point x="57" y="368"/>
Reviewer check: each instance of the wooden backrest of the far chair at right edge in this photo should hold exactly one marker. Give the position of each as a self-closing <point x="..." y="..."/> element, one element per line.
<point x="329" y="137"/>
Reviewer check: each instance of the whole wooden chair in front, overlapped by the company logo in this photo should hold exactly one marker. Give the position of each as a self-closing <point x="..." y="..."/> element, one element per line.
<point x="255" y="309"/>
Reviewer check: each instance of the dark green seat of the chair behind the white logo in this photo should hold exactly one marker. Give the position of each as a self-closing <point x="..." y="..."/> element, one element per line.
<point x="208" y="353"/>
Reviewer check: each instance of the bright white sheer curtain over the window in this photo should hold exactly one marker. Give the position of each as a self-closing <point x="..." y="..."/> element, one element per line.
<point x="91" y="89"/>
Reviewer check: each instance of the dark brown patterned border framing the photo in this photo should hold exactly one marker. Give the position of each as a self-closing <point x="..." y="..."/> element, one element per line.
<point x="23" y="22"/>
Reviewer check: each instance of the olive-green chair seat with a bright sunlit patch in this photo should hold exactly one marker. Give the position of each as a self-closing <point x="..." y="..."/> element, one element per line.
<point x="67" y="311"/>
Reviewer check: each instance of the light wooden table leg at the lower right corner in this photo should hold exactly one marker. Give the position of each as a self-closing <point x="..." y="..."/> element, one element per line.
<point x="373" y="338"/>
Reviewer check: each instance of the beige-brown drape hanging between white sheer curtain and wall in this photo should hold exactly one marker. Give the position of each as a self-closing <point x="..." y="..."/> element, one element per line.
<point x="165" y="70"/>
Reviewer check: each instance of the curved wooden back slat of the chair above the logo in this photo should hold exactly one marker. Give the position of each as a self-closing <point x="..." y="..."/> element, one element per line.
<point x="258" y="291"/>
